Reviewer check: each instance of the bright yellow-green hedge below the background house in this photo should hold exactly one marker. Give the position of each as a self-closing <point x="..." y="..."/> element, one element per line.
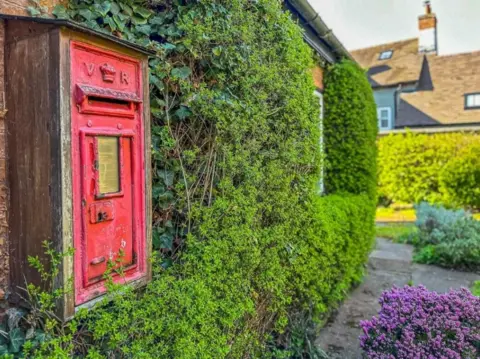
<point x="437" y="168"/>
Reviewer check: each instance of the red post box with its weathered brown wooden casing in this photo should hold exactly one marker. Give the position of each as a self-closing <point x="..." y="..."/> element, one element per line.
<point x="78" y="122"/>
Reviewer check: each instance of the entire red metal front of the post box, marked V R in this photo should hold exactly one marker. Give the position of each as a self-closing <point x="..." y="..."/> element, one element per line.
<point x="108" y="169"/>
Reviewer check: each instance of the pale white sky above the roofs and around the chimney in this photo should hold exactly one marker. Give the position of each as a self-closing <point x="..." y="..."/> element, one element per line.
<point x="363" y="23"/>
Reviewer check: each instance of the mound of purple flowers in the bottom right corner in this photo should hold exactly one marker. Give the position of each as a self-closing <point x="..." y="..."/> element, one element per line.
<point x="416" y="323"/>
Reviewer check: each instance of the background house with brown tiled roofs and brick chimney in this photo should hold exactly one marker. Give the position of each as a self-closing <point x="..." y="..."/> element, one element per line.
<point x="417" y="88"/>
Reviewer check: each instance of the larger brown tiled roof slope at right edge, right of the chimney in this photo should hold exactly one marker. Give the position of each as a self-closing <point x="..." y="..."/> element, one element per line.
<point x="440" y="98"/>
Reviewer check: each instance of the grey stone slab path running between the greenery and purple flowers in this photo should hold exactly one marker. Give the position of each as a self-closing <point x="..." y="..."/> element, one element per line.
<point x="389" y="264"/>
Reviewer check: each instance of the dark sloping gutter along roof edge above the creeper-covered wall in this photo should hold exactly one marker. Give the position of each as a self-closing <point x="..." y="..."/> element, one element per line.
<point x="313" y="19"/>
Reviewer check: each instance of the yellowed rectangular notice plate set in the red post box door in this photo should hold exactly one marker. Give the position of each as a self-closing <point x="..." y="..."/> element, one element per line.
<point x="108" y="164"/>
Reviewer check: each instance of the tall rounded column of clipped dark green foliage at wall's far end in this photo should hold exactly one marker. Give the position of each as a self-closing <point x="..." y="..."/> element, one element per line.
<point x="350" y="131"/>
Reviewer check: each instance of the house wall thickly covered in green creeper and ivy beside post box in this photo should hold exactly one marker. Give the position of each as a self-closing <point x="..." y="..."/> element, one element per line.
<point x="248" y="255"/>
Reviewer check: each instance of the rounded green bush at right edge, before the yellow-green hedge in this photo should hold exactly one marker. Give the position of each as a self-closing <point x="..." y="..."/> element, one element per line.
<point x="460" y="179"/>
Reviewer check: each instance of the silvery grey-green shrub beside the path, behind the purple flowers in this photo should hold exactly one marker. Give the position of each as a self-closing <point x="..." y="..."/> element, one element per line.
<point x="448" y="238"/>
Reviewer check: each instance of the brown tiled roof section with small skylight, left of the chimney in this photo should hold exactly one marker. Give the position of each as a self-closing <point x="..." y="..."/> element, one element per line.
<point x="403" y="67"/>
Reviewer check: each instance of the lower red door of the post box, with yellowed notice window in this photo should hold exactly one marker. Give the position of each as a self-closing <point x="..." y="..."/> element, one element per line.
<point x="108" y="205"/>
